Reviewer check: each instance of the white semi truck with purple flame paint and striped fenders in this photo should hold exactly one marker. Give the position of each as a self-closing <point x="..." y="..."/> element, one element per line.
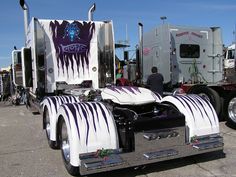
<point x="68" y="68"/>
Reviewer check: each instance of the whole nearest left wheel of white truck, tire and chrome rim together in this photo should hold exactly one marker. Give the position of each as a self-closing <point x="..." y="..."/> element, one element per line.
<point x="65" y="148"/>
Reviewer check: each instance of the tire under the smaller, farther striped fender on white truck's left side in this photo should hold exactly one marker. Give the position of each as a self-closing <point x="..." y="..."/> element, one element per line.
<point x="52" y="144"/>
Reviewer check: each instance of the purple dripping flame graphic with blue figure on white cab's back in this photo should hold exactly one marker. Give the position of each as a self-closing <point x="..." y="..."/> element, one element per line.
<point x="72" y="42"/>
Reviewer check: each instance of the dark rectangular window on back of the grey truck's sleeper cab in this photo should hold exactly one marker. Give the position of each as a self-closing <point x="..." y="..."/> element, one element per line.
<point x="189" y="51"/>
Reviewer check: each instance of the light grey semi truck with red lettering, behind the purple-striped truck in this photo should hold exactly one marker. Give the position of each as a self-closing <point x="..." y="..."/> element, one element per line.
<point x="192" y="58"/>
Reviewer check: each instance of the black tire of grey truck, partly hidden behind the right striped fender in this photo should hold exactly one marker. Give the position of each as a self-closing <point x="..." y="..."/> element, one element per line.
<point x="211" y="95"/>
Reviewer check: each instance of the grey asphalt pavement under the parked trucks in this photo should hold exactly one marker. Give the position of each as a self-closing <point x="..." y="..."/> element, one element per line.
<point x="24" y="152"/>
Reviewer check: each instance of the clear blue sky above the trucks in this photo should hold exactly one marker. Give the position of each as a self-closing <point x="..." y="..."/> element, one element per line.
<point x="124" y="13"/>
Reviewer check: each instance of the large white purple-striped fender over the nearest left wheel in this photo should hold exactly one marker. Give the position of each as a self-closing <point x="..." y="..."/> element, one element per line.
<point x="90" y="127"/>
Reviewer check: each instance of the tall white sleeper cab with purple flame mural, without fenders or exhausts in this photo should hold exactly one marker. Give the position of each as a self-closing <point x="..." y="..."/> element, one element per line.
<point x="60" y="53"/>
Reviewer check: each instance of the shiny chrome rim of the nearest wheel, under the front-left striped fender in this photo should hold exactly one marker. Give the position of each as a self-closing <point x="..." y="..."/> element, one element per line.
<point x="65" y="142"/>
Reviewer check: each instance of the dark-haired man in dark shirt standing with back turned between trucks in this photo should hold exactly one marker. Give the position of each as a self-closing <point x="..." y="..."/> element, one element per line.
<point x="155" y="81"/>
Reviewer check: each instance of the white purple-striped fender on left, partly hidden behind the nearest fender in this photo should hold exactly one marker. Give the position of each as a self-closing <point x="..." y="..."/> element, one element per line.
<point x="52" y="104"/>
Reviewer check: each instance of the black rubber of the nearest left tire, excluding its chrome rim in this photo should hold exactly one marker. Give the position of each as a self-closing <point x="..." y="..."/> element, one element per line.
<point x="72" y="170"/>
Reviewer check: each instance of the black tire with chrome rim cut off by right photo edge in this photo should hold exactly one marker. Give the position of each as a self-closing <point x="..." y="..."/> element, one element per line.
<point x="229" y="109"/>
